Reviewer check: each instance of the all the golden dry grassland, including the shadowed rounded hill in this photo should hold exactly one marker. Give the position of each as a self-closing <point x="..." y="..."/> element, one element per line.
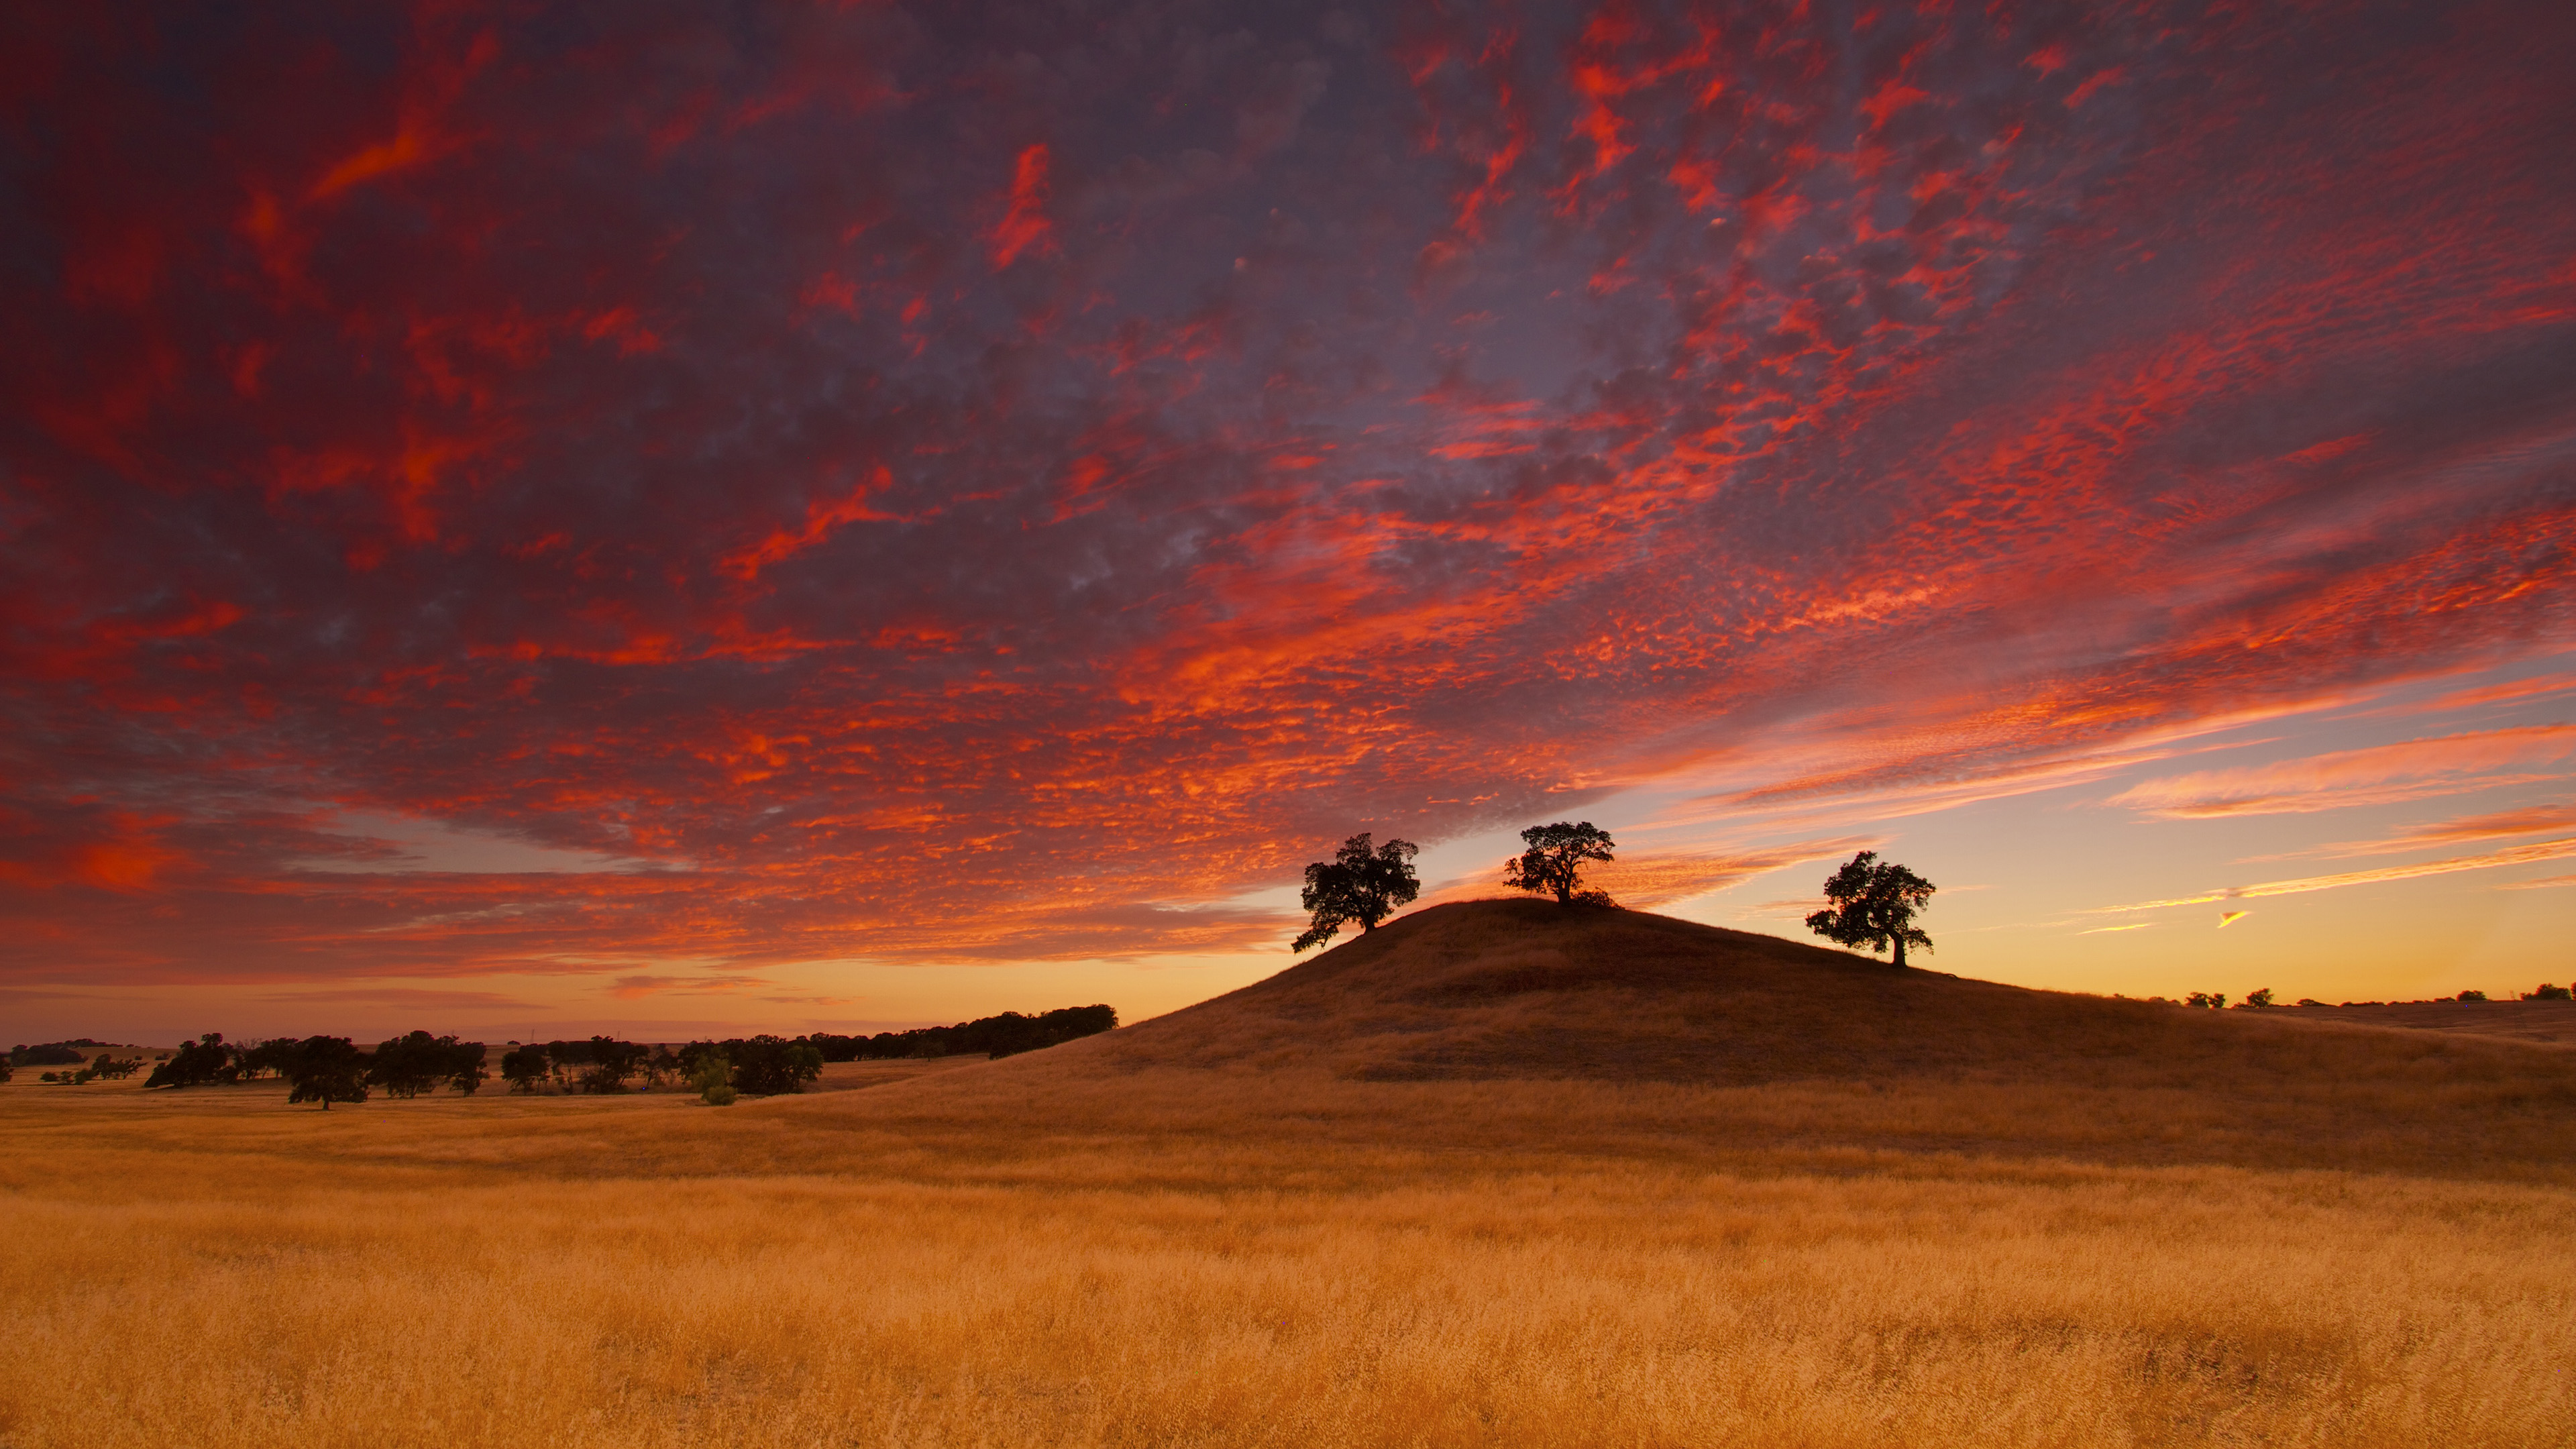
<point x="1488" y="1177"/>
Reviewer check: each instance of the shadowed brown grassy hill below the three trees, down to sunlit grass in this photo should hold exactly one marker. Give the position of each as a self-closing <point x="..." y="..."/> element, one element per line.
<point x="1511" y="1025"/>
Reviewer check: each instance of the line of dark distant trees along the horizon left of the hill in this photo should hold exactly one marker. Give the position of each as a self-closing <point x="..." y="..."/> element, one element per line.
<point x="336" y="1069"/>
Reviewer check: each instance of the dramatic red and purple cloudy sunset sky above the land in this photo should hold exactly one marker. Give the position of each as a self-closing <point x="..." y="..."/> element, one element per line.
<point x="674" y="520"/>
